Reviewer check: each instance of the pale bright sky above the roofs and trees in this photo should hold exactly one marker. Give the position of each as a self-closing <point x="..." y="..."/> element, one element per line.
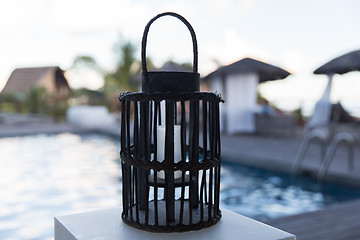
<point x="298" y="36"/>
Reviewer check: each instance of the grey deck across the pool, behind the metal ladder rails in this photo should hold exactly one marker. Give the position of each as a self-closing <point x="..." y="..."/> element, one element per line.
<point x="278" y="154"/>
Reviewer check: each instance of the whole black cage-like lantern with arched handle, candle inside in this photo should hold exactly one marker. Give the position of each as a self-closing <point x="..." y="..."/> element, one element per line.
<point x="170" y="150"/>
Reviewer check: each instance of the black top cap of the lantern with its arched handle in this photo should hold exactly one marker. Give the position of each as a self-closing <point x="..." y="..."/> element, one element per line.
<point x="165" y="81"/>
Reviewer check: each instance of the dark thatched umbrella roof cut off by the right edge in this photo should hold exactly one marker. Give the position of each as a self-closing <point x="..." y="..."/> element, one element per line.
<point x="340" y="65"/>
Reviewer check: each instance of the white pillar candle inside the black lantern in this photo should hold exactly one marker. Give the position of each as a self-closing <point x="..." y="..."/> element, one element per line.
<point x="161" y="148"/>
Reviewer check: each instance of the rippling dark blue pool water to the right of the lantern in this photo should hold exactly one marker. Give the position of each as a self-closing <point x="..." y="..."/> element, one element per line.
<point x="262" y="194"/>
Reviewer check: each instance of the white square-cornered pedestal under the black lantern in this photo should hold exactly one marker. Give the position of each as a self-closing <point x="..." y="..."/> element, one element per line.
<point x="107" y="225"/>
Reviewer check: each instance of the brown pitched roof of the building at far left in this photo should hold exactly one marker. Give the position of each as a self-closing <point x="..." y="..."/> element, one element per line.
<point x="23" y="79"/>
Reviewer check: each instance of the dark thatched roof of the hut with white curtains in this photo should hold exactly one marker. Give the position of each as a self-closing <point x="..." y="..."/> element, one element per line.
<point x="265" y="71"/>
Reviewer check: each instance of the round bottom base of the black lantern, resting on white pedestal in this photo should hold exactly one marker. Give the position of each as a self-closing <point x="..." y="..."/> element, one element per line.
<point x="200" y="218"/>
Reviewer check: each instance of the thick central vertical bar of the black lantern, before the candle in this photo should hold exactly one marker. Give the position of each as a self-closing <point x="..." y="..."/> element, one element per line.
<point x="169" y="158"/>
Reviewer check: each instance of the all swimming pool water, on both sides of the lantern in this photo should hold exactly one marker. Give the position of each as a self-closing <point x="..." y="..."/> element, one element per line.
<point x="43" y="176"/>
